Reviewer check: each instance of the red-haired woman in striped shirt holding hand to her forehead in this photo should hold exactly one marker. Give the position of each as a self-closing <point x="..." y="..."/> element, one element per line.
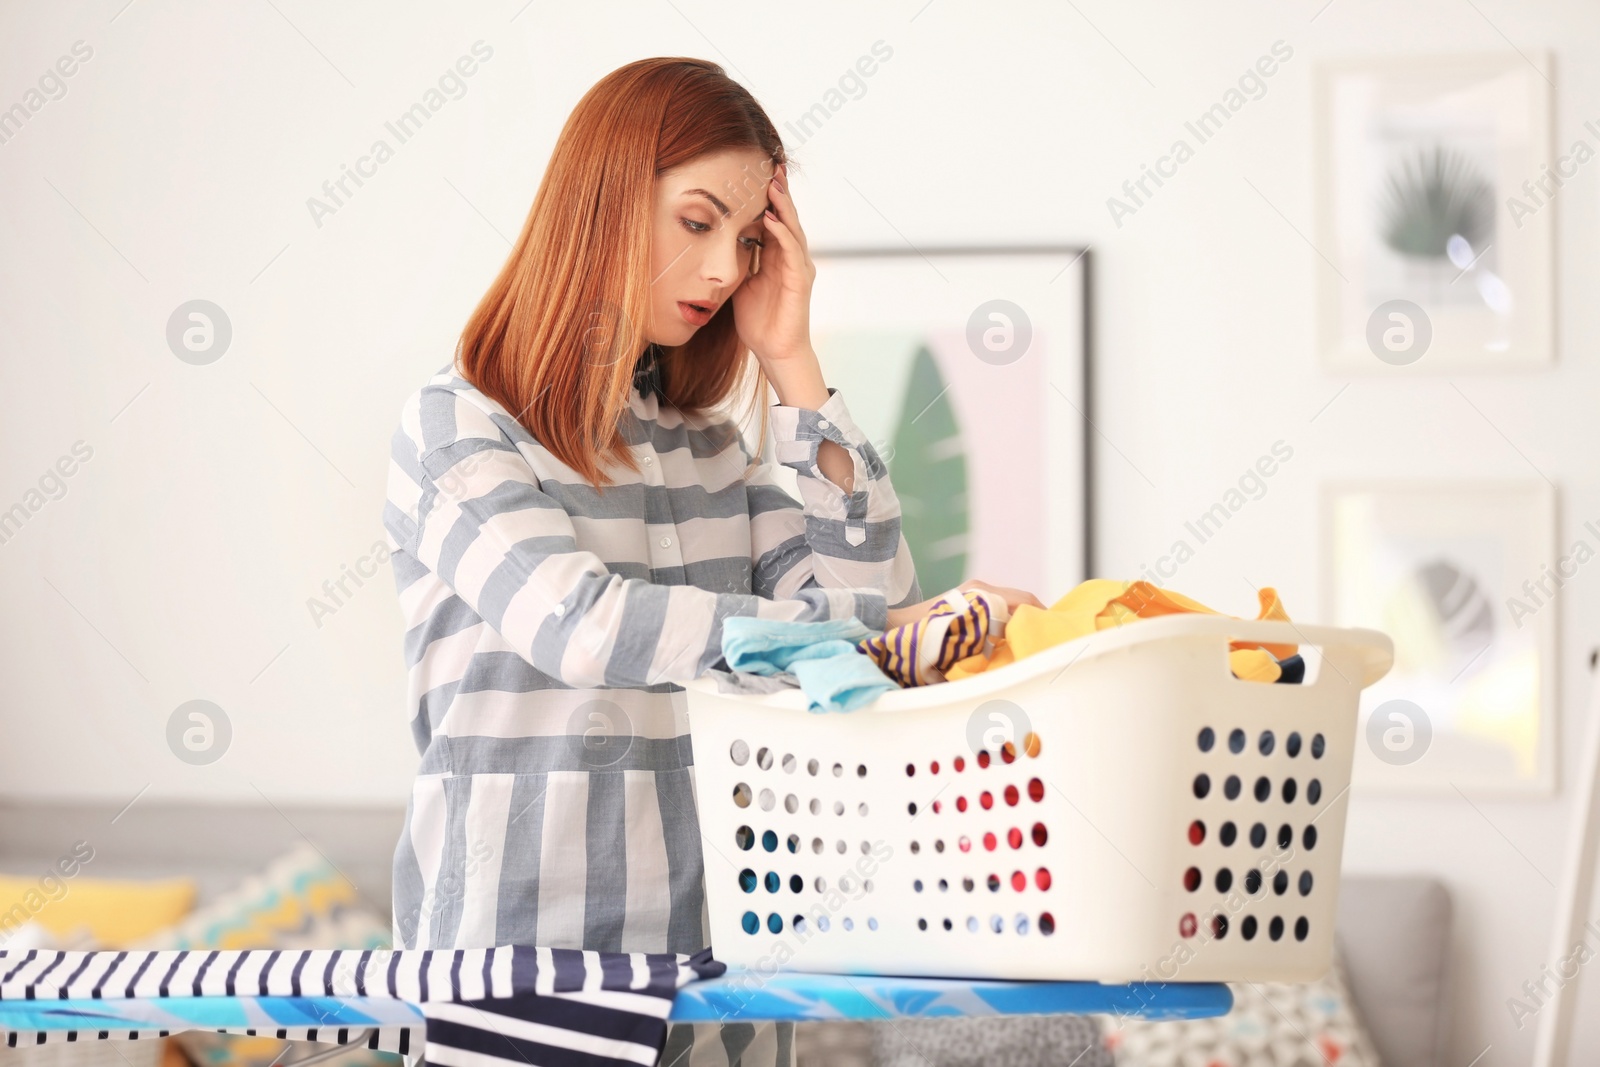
<point x="572" y="522"/>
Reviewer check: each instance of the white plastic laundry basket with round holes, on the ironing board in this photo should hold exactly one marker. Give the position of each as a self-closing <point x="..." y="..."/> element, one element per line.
<point x="1118" y="809"/>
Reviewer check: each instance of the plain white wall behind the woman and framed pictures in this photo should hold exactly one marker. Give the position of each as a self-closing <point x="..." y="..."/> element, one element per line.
<point x="178" y="166"/>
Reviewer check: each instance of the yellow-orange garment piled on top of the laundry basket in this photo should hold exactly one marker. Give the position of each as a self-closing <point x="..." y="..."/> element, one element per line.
<point x="1102" y="604"/>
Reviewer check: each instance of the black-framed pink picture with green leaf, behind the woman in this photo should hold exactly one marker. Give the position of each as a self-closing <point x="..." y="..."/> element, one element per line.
<point x="969" y="370"/>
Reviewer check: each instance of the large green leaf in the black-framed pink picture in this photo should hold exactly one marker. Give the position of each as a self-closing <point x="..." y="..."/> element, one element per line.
<point x="929" y="470"/>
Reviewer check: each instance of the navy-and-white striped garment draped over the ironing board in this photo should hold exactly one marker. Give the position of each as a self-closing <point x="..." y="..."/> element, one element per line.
<point x="514" y="1005"/>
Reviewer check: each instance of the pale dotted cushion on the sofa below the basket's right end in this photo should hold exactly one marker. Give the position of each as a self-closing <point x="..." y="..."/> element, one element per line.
<point x="1271" y="1026"/>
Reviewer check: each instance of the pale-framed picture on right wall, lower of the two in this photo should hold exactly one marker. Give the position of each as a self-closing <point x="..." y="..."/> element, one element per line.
<point x="1466" y="580"/>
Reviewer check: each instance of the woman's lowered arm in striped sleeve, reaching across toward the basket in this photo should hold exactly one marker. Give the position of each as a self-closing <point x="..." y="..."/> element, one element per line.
<point x="471" y="510"/>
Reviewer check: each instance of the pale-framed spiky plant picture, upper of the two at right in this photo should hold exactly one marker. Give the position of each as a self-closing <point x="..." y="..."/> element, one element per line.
<point x="1436" y="199"/>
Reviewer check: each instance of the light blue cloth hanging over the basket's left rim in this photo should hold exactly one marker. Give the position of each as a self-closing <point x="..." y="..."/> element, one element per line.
<point x="822" y="657"/>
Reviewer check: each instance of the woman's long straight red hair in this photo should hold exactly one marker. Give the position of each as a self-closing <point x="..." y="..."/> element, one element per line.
<point x="558" y="335"/>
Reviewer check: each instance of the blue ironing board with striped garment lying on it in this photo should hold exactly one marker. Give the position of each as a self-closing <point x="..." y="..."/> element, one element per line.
<point x="409" y="1001"/>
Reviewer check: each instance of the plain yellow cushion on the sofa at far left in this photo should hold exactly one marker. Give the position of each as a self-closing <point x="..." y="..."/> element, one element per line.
<point x="114" y="913"/>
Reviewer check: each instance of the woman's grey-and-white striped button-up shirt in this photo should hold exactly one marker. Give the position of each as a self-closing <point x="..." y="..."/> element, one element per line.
<point x="546" y="626"/>
